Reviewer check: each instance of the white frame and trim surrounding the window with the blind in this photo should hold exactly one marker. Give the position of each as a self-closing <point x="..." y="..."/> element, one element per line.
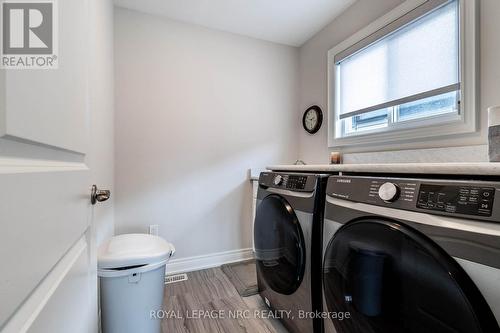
<point x="465" y="122"/>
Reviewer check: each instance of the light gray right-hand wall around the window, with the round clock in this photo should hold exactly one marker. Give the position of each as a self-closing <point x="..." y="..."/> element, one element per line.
<point x="313" y="82"/>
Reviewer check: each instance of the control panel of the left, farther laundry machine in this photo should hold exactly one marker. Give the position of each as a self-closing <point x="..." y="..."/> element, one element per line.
<point x="292" y="182"/>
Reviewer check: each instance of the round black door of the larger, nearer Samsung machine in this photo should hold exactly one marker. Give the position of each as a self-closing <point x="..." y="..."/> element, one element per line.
<point x="392" y="279"/>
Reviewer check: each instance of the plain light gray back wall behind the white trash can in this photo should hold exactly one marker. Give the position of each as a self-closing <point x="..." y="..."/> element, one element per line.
<point x="195" y="108"/>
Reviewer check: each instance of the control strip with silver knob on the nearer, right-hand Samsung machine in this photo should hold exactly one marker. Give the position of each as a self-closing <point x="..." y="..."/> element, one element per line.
<point x="475" y="199"/>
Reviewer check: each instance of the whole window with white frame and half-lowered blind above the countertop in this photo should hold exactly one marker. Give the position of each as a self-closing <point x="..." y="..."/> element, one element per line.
<point x="405" y="78"/>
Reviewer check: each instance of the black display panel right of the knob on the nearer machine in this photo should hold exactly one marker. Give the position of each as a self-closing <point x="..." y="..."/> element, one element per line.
<point x="468" y="200"/>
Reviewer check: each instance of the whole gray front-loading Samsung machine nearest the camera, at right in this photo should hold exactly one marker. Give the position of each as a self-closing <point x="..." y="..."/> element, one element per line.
<point x="411" y="255"/>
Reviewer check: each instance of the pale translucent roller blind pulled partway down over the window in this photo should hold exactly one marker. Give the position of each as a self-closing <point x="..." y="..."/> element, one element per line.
<point x="421" y="57"/>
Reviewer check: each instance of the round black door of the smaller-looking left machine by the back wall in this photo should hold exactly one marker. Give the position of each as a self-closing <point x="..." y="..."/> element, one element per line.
<point x="279" y="245"/>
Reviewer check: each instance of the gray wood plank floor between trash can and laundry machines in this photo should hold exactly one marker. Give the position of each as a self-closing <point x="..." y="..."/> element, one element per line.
<point x="210" y="293"/>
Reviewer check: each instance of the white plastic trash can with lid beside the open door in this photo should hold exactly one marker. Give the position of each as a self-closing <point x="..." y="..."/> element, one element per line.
<point x="131" y="270"/>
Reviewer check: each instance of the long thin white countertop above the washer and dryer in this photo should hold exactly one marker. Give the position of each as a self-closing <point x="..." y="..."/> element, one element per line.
<point x="479" y="168"/>
